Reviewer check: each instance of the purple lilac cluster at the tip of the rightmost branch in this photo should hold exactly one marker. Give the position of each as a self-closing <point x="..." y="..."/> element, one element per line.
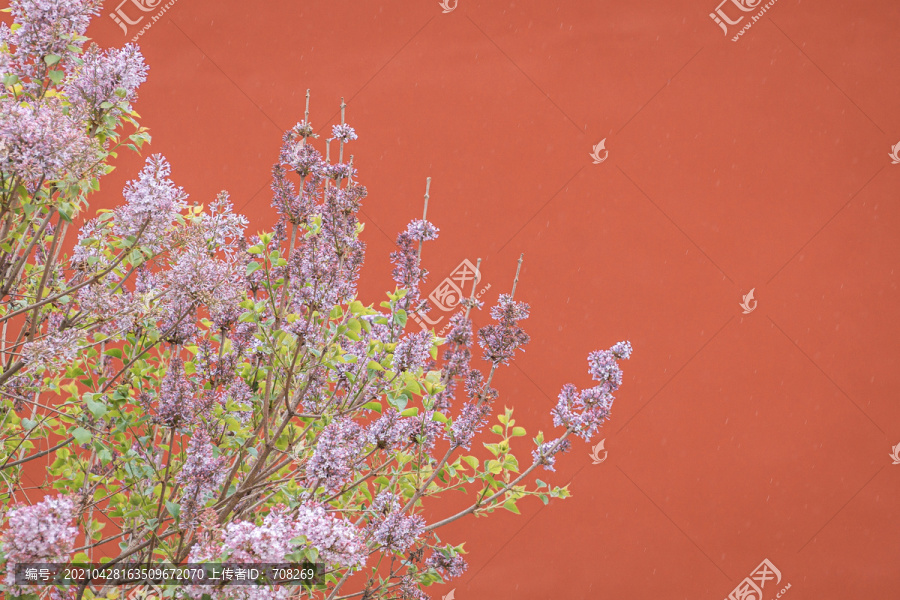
<point x="584" y="412"/>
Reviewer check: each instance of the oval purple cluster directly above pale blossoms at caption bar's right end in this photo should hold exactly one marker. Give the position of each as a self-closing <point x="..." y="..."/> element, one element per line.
<point x="337" y="454"/>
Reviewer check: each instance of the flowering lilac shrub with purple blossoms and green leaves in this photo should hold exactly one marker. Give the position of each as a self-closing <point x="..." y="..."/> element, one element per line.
<point x="202" y="396"/>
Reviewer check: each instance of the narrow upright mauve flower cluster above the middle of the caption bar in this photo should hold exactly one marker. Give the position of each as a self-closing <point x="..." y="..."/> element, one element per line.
<point x="200" y="475"/>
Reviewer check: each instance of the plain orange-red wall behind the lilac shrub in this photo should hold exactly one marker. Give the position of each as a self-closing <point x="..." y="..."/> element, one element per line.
<point x="761" y="163"/>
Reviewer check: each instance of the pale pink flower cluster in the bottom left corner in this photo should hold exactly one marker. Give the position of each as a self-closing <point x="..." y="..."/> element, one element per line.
<point x="42" y="532"/>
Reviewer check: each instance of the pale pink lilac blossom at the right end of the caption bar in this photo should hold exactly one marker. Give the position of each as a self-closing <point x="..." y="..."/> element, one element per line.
<point x="337" y="540"/>
